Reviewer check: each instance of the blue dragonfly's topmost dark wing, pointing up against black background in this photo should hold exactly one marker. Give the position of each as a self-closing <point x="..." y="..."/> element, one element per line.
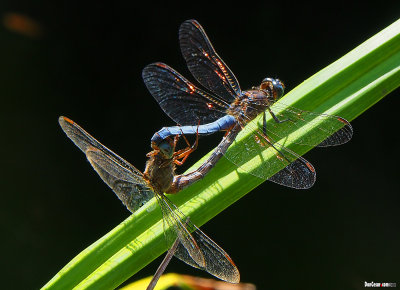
<point x="205" y="64"/>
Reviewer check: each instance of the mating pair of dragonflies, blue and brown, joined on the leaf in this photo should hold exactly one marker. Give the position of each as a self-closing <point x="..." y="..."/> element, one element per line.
<point x="223" y="107"/>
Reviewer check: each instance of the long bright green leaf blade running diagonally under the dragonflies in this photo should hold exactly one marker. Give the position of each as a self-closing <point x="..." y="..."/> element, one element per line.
<point x="347" y="87"/>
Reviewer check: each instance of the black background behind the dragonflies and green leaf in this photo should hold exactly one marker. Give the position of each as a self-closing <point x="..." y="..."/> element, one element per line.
<point x="85" y="60"/>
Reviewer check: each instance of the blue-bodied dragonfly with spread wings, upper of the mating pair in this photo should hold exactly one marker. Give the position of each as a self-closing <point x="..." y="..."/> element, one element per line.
<point x="222" y="104"/>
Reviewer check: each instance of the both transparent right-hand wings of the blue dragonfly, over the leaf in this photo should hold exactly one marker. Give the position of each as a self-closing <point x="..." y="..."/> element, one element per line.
<point x="298" y="173"/>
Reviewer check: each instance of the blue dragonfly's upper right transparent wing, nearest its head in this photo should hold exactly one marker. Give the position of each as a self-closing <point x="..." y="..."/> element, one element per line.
<point x="327" y="130"/>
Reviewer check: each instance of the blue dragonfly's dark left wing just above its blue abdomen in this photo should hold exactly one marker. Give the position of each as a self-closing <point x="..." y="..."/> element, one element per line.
<point x="180" y="99"/>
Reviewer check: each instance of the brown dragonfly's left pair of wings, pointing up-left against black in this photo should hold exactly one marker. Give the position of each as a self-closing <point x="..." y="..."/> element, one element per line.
<point x="125" y="180"/>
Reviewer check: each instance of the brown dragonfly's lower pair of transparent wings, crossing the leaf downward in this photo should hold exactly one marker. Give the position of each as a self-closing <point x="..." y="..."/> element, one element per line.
<point x="197" y="249"/>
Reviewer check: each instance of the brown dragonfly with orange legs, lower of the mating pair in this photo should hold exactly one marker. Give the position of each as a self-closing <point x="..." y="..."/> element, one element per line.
<point x="135" y="188"/>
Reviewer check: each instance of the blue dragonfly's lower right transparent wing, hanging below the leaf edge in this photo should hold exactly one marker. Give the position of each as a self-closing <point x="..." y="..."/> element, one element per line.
<point x="297" y="173"/>
